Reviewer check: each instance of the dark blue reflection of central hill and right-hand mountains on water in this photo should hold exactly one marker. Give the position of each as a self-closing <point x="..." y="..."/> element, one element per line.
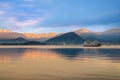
<point x="73" y="54"/>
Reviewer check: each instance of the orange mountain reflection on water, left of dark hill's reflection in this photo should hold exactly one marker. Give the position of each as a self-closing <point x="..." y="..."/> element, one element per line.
<point x="7" y="55"/>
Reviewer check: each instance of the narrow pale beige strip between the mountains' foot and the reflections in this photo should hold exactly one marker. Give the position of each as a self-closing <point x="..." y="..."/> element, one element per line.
<point x="59" y="46"/>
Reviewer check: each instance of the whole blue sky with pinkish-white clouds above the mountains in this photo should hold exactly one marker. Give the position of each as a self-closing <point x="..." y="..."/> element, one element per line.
<point x="39" y="16"/>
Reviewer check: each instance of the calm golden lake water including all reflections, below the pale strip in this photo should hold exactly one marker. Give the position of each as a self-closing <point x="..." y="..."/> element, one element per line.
<point x="59" y="64"/>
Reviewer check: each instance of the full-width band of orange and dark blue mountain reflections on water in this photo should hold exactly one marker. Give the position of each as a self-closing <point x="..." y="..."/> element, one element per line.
<point x="7" y="55"/>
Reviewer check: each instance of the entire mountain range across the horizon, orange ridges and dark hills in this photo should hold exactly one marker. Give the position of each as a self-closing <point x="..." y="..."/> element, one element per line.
<point x="75" y="37"/>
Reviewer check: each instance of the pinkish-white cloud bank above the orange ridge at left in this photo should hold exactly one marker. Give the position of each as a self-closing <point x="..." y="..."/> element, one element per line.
<point x="16" y="24"/>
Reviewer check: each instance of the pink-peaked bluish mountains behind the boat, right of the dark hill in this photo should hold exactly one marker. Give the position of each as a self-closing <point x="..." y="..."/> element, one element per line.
<point x="109" y="36"/>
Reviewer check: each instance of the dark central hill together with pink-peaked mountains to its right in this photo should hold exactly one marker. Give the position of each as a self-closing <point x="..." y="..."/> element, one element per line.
<point x="111" y="36"/>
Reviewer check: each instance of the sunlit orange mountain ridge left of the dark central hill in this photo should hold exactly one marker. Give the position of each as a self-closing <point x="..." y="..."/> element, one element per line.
<point x="8" y="34"/>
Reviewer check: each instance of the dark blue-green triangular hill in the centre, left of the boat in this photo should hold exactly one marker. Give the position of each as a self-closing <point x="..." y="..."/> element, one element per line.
<point x="67" y="38"/>
